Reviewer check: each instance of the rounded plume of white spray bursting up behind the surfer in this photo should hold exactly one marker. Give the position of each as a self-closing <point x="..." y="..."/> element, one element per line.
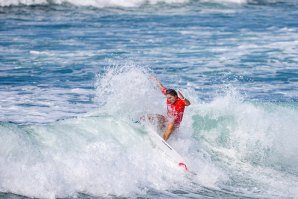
<point x="127" y="90"/>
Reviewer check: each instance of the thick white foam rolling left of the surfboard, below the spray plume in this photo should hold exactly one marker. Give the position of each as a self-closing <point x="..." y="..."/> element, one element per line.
<point x="99" y="156"/>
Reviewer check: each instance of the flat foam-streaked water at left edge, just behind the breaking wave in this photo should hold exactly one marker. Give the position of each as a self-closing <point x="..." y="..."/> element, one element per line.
<point x="38" y="105"/>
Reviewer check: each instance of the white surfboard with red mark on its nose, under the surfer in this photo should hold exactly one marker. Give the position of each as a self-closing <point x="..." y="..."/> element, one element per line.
<point x="167" y="150"/>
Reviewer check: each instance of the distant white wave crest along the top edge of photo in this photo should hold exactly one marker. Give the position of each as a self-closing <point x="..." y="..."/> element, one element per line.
<point x="127" y="4"/>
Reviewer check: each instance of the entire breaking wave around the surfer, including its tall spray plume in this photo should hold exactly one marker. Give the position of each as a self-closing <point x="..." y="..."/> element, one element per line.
<point x="247" y="149"/>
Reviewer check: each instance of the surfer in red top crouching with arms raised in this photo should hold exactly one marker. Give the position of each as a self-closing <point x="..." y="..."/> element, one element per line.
<point x="176" y="103"/>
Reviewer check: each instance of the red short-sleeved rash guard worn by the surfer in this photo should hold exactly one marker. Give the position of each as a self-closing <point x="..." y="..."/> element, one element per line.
<point x="175" y="110"/>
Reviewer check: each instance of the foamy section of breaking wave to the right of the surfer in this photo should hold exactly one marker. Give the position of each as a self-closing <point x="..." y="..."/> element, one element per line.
<point x="256" y="144"/>
